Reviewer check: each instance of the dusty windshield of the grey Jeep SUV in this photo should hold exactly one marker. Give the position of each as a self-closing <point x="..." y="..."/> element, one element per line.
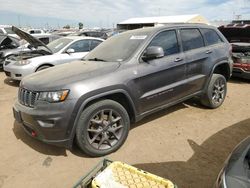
<point x="119" y="48"/>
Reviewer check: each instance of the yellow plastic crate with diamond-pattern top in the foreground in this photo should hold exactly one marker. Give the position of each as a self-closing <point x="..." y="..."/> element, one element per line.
<point x="121" y="175"/>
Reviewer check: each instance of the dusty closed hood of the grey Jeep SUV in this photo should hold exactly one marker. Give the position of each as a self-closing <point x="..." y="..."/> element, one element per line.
<point x="60" y="76"/>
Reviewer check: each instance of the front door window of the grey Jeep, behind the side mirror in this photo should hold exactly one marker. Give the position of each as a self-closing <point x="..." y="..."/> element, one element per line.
<point x="168" y="41"/>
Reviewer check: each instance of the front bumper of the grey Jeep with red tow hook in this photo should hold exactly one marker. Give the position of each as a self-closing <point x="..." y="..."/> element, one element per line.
<point x="47" y="122"/>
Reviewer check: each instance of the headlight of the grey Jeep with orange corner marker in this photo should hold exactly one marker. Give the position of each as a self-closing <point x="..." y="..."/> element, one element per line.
<point x="53" y="96"/>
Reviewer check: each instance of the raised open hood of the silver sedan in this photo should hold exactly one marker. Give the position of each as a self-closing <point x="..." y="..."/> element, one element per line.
<point x="30" y="39"/>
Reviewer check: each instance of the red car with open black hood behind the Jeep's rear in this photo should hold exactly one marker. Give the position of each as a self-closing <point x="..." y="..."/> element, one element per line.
<point x="239" y="36"/>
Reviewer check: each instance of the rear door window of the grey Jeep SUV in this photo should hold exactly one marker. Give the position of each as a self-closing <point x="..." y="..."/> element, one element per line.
<point x="191" y="39"/>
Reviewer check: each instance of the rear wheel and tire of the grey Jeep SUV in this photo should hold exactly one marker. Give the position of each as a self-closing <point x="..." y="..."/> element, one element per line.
<point x="216" y="92"/>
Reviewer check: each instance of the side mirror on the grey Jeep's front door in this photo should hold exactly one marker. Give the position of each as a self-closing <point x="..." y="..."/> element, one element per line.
<point x="153" y="52"/>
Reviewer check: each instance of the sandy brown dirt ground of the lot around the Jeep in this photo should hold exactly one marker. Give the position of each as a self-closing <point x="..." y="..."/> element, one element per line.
<point x="186" y="143"/>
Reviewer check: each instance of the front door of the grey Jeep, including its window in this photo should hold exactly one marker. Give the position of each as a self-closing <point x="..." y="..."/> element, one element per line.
<point x="161" y="81"/>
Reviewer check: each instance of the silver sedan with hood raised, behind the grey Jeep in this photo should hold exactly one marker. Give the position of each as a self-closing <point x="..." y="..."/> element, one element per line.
<point x="57" y="52"/>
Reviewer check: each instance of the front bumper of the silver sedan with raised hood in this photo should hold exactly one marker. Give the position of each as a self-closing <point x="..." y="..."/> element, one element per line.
<point x="18" y="72"/>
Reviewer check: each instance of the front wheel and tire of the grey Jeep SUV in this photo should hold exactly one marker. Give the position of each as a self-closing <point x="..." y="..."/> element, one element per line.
<point x="102" y="128"/>
